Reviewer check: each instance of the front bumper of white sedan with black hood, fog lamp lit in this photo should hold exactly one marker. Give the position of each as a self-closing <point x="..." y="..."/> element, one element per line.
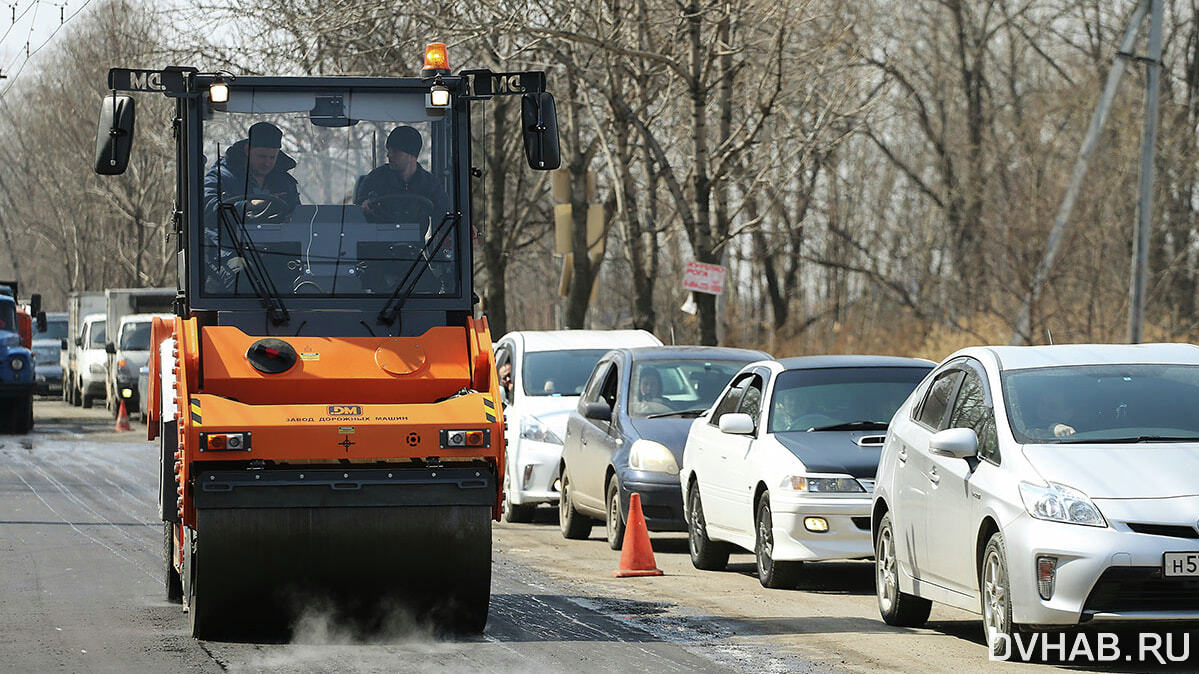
<point x="848" y="535"/>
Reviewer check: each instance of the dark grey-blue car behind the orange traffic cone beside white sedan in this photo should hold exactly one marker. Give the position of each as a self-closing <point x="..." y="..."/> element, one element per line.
<point x="629" y="432"/>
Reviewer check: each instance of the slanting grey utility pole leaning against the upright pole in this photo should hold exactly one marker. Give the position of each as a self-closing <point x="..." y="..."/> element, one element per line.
<point x="1041" y="276"/>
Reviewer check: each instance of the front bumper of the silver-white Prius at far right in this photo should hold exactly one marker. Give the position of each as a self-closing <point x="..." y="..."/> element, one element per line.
<point x="1104" y="576"/>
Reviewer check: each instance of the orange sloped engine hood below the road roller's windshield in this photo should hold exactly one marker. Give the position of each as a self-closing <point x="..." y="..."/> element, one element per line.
<point x="363" y="370"/>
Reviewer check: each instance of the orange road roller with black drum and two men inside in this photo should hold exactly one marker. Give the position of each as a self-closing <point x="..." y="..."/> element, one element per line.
<point x="326" y="399"/>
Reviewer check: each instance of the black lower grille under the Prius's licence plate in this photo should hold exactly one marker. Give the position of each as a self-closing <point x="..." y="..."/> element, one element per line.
<point x="1142" y="588"/>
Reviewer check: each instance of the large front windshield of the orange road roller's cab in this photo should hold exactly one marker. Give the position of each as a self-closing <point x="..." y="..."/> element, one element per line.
<point x="329" y="192"/>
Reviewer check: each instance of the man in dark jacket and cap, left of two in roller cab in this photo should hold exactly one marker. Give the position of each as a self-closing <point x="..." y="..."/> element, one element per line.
<point x="254" y="178"/>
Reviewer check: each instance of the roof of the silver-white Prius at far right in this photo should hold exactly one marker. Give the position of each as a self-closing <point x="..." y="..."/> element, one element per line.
<point x="1025" y="358"/>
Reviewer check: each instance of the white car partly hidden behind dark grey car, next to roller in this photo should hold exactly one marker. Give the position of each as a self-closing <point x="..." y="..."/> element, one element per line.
<point x="550" y="370"/>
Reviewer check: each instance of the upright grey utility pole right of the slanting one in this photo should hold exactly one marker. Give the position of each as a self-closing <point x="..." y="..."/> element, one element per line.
<point x="1146" y="201"/>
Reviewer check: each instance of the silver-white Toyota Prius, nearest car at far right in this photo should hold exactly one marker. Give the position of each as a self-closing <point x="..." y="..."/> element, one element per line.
<point x="1045" y="488"/>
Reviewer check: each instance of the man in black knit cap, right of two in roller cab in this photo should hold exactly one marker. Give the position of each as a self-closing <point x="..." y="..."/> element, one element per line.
<point x="384" y="192"/>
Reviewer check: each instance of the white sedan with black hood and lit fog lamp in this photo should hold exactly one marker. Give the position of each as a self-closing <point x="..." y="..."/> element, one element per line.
<point x="784" y="465"/>
